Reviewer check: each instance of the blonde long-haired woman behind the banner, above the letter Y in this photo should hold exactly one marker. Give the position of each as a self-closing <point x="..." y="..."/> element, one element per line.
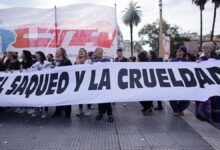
<point x="83" y="58"/>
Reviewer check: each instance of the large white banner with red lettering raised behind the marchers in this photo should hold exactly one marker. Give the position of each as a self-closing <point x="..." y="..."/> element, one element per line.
<point x="88" y="26"/>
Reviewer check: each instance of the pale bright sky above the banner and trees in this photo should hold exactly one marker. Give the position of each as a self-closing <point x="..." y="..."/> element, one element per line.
<point x="180" y="12"/>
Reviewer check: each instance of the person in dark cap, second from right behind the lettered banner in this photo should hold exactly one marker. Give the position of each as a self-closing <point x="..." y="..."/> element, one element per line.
<point x="179" y="106"/>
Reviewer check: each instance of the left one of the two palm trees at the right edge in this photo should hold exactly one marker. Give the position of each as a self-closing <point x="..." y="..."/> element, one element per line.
<point x="201" y="5"/>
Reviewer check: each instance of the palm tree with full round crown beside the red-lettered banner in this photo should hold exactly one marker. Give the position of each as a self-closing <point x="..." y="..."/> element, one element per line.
<point x="132" y="16"/>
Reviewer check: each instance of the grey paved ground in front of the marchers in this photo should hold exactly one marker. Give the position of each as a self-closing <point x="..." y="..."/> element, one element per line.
<point x="130" y="131"/>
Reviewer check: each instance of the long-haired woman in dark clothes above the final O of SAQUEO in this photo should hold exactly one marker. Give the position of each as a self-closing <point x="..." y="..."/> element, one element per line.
<point x="62" y="60"/>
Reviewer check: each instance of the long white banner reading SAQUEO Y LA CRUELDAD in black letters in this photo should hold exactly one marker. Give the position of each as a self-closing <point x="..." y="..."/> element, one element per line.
<point x="111" y="82"/>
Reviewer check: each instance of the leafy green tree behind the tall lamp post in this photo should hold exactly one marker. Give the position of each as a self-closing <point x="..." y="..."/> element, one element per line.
<point x="152" y="33"/>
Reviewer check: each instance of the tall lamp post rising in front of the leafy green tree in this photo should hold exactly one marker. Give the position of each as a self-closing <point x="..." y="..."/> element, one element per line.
<point x="161" y="31"/>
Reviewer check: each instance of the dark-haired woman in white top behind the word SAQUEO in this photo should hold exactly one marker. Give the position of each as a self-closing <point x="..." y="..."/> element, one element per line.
<point x="40" y="64"/>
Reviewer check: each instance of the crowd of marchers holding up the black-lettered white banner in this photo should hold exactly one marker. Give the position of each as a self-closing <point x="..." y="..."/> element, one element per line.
<point x="10" y="62"/>
